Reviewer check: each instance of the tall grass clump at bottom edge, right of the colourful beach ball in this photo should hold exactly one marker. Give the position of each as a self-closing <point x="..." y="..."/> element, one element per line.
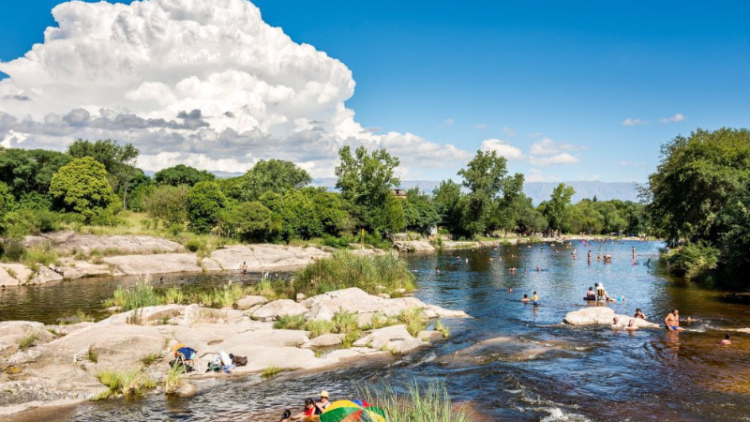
<point x="416" y="404"/>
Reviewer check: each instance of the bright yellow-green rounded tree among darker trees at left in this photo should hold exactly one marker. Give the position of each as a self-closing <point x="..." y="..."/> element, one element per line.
<point x="81" y="186"/>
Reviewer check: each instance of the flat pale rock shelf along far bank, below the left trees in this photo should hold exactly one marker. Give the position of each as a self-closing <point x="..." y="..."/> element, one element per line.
<point x="83" y="256"/>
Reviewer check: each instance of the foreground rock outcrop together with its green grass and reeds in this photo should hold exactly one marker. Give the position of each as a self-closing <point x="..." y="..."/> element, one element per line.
<point x="358" y="308"/>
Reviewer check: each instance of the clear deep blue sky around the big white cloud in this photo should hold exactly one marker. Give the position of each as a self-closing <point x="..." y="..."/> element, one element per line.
<point x="461" y="73"/>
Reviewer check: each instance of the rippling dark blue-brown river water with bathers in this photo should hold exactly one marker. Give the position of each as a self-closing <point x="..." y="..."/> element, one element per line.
<point x="515" y="362"/>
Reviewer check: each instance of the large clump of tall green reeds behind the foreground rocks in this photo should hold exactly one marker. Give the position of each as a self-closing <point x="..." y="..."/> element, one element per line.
<point x="373" y="274"/>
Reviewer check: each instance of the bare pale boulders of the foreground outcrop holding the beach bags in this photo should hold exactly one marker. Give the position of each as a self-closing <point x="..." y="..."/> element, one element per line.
<point x="55" y="364"/>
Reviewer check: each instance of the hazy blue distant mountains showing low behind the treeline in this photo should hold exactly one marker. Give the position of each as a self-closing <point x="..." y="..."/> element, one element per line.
<point x="537" y="191"/>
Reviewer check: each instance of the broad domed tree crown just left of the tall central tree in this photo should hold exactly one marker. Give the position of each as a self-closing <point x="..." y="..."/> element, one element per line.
<point x="276" y="176"/>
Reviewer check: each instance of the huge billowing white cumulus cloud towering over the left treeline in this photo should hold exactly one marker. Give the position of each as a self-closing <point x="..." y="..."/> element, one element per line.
<point x="209" y="84"/>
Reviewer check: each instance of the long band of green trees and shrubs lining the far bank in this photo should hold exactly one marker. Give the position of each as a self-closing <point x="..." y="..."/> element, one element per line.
<point x="95" y="188"/>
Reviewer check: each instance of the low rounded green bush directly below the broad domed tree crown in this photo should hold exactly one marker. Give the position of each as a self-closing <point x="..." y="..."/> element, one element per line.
<point x="252" y="222"/>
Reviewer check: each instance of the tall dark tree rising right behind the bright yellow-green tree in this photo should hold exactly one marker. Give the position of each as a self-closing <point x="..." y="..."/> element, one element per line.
<point x="119" y="161"/>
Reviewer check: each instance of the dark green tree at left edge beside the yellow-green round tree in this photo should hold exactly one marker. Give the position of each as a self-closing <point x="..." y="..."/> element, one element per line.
<point x="26" y="171"/>
